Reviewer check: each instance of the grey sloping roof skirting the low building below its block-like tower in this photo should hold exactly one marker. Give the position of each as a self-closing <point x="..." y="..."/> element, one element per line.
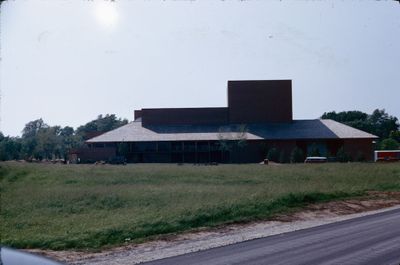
<point x="296" y="130"/>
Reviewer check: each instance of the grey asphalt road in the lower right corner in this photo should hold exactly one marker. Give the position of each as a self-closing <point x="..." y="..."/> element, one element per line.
<point x="373" y="239"/>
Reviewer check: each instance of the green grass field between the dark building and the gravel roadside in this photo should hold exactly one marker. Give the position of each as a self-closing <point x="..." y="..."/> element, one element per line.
<point x="96" y="206"/>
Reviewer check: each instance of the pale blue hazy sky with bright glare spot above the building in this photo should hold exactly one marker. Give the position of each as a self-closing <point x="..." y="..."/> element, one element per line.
<point x="67" y="61"/>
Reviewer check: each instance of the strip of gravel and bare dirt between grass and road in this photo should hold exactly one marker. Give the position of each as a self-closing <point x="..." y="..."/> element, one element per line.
<point x="206" y="238"/>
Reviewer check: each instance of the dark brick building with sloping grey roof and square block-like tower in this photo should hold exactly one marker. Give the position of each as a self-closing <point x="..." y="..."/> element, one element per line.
<point x="258" y="118"/>
